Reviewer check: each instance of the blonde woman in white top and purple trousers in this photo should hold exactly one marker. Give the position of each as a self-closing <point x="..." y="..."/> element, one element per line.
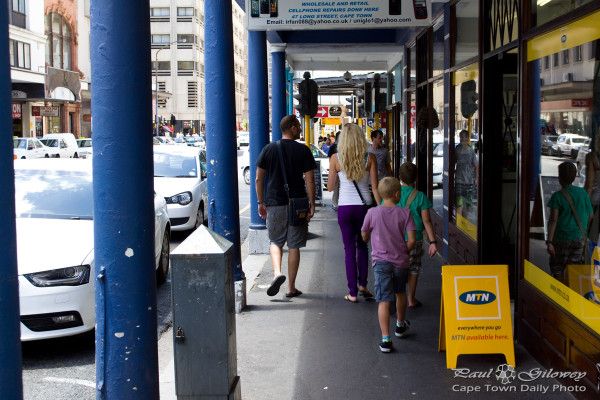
<point x="355" y="168"/>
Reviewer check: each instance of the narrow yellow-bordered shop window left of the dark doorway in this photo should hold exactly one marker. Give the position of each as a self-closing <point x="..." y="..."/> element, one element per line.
<point x="465" y="152"/>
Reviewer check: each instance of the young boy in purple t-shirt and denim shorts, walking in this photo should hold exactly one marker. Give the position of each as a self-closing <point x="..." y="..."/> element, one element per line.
<point x="390" y="254"/>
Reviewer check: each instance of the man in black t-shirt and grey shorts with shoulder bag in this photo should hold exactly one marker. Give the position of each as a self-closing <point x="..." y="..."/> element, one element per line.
<point x="274" y="207"/>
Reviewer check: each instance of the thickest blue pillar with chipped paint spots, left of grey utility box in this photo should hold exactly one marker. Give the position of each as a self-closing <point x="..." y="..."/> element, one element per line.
<point x="125" y="278"/>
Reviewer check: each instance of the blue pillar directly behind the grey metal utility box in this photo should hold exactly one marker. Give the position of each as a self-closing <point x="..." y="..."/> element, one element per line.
<point x="221" y="153"/>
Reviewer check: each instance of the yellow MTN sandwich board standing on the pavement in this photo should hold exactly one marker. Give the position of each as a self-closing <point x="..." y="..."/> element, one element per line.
<point x="475" y="314"/>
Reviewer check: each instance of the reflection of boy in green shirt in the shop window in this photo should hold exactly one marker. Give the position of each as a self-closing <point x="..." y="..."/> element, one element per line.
<point x="566" y="238"/>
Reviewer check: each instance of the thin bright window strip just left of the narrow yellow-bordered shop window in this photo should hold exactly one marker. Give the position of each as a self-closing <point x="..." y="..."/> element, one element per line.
<point x="438" y="148"/>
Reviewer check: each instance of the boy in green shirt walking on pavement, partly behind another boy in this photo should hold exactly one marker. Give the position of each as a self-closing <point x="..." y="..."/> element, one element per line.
<point x="419" y="206"/>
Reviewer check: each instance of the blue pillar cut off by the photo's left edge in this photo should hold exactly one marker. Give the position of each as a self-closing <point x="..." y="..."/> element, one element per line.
<point x="10" y="336"/>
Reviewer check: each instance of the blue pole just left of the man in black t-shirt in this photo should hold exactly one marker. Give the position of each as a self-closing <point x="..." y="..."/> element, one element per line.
<point x="258" y="105"/>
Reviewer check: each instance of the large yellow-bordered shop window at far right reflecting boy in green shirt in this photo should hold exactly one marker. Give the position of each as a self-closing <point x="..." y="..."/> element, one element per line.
<point x="565" y="135"/>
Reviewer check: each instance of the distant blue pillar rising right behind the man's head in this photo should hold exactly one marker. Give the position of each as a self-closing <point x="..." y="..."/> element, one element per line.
<point x="278" y="83"/>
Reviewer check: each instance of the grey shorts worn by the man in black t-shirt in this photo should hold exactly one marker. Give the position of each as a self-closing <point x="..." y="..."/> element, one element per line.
<point x="279" y="231"/>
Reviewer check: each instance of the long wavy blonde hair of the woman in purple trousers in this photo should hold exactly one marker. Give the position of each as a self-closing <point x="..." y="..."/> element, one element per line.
<point x="352" y="149"/>
